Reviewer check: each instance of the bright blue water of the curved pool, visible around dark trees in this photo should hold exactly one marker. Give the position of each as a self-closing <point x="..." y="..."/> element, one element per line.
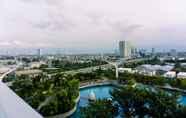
<point x="102" y="92"/>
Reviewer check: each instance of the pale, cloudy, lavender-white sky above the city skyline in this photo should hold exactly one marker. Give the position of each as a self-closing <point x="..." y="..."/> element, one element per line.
<point x="89" y="25"/>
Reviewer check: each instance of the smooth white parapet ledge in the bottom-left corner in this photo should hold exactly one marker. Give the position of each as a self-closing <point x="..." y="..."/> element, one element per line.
<point x="12" y="106"/>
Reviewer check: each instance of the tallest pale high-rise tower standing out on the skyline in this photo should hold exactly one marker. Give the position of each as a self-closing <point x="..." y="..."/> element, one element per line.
<point x="126" y="49"/>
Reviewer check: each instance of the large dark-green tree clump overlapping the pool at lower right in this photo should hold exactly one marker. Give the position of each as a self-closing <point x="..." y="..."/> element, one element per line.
<point x="142" y="103"/>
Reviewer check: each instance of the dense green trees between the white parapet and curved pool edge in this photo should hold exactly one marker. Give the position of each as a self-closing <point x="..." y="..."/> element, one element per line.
<point x="48" y="96"/>
